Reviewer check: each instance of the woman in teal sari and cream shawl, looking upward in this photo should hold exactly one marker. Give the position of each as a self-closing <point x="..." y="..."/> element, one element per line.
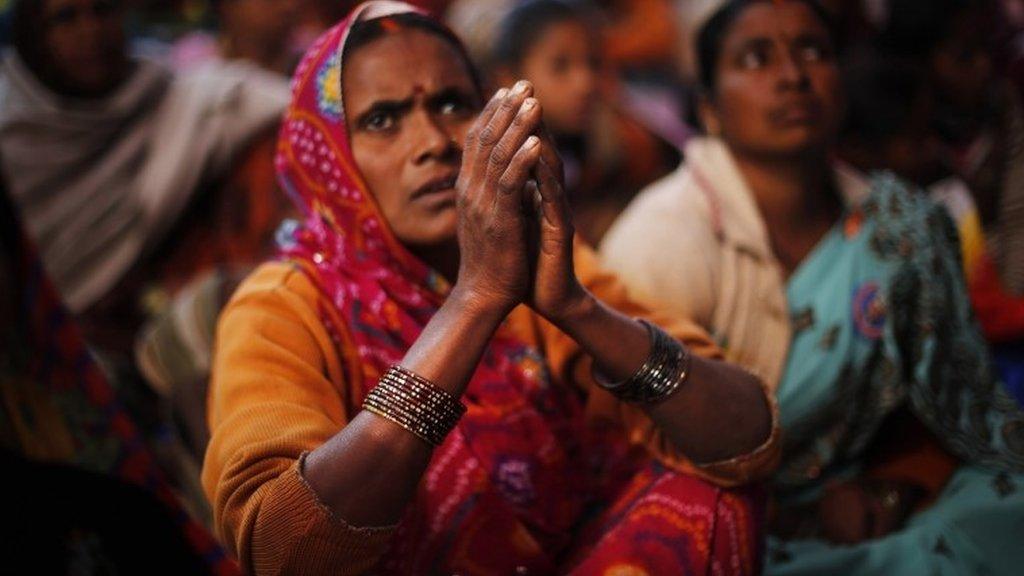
<point x="843" y="292"/>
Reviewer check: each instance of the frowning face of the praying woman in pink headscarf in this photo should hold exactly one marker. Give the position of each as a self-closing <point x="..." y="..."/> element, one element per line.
<point x="410" y="101"/>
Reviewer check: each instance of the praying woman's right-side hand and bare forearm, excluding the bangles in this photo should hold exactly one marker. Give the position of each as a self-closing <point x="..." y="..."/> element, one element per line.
<point x="740" y="420"/>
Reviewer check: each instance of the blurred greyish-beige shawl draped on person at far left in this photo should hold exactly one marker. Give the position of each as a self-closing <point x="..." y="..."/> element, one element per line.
<point x="100" y="183"/>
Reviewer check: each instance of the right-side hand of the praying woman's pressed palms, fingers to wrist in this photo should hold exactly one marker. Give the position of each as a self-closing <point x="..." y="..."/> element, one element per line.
<point x="557" y="293"/>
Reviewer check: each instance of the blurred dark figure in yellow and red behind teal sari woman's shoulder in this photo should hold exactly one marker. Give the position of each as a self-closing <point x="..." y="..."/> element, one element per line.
<point x="889" y="128"/>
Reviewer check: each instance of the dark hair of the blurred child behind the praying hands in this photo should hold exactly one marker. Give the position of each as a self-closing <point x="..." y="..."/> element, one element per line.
<point x="527" y="23"/>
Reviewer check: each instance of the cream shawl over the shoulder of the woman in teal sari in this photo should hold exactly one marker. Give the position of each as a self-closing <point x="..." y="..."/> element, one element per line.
<point x="695" y="245"/>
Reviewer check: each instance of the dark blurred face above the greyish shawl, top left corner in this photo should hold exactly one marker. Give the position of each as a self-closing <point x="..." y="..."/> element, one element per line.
<point x="84" y="46"/>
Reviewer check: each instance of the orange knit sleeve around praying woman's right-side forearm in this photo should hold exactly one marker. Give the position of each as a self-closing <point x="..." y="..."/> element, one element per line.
<point x="569" y="364"/>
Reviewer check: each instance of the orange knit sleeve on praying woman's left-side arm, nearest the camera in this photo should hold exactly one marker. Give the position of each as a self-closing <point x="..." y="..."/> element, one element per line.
<point x="277" y="393"/>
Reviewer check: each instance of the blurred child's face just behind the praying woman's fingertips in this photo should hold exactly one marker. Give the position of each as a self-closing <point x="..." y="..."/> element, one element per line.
<point x="564" y="67"/>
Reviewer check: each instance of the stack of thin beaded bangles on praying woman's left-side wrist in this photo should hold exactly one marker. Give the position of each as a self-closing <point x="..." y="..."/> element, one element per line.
<point x="415" y="404"/>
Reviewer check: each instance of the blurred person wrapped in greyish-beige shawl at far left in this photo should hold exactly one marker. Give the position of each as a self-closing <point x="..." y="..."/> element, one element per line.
<point x="107" y="153"/>
